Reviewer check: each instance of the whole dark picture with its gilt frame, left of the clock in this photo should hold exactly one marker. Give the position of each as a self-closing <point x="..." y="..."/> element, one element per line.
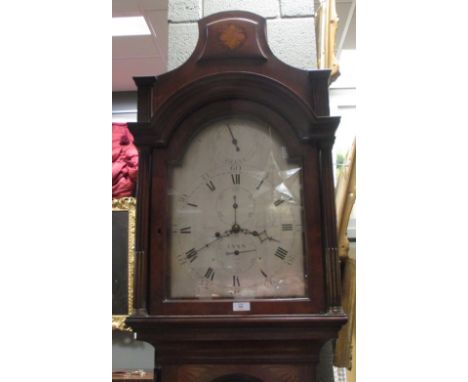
<point x="123" y="260"/>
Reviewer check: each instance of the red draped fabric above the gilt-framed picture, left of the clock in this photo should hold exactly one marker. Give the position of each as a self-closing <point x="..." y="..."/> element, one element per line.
<point x="124" y="161"/>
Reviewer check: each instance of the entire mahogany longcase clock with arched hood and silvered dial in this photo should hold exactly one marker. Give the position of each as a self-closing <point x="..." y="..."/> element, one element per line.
<point x="237" y="275"/>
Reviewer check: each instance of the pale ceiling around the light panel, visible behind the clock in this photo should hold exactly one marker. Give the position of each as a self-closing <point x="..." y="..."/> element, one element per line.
<point x="147" y="55"/>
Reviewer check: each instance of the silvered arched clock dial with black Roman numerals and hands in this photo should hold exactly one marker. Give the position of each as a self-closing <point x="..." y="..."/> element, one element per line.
<point x="236" y="211"/>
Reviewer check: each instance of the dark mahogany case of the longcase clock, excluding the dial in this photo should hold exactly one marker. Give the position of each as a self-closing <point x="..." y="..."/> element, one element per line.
<point x="232" y="71"/>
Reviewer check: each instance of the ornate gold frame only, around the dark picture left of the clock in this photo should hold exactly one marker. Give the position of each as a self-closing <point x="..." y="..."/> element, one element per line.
<point x="127" y="204"/>
